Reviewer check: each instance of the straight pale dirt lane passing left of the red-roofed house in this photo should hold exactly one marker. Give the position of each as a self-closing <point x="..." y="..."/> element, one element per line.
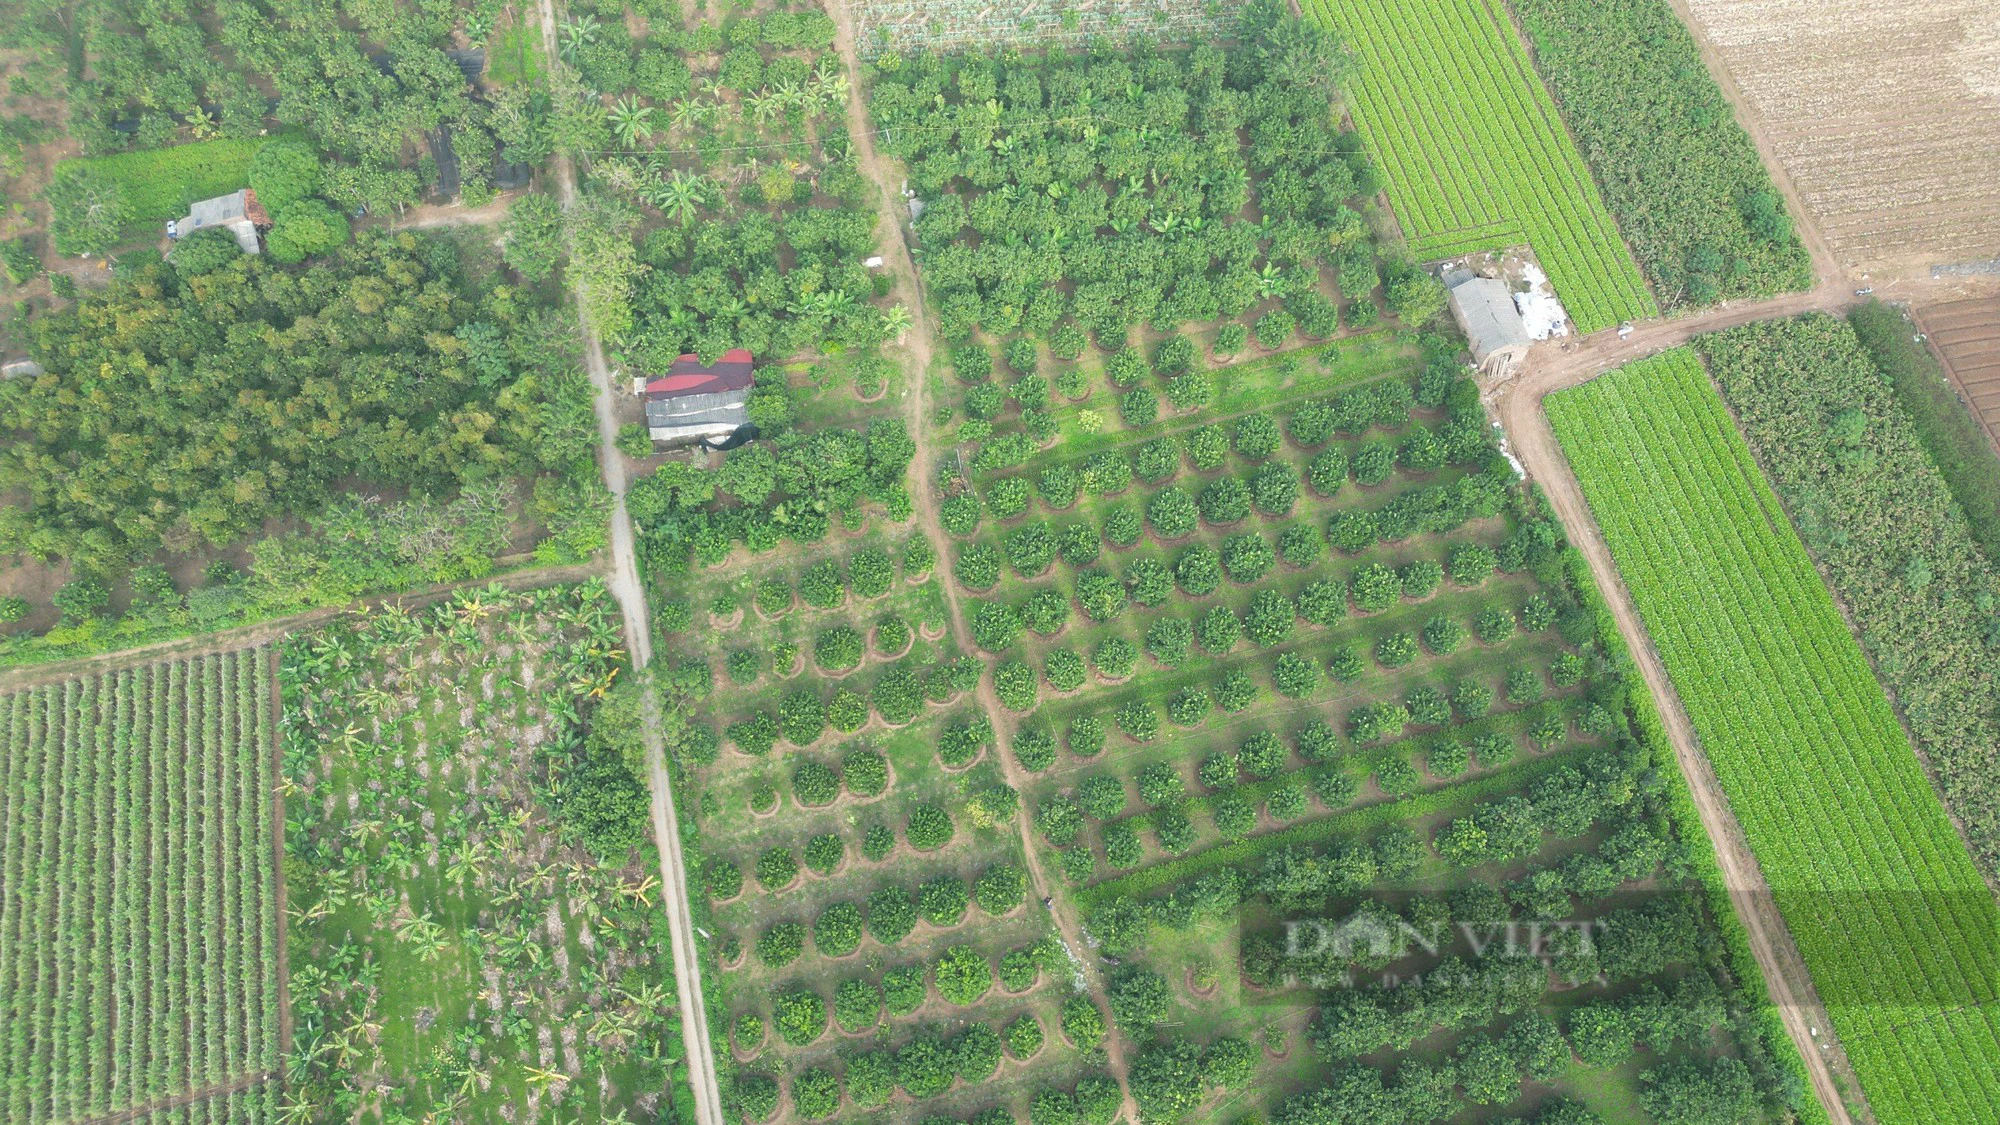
<point x="631" y="594"/>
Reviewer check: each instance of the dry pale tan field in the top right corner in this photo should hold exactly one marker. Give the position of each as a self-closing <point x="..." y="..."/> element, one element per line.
<point x="1885" y="113"/>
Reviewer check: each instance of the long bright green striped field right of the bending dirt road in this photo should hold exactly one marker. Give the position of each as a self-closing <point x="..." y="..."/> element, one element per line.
<point x="1875" y="886"/>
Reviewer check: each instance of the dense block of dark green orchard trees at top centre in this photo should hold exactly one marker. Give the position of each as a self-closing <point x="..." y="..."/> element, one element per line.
<point x="1111" y="187"/>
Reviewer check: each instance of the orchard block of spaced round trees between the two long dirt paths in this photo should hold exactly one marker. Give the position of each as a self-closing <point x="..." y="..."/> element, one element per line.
<point x="873" y="912"/>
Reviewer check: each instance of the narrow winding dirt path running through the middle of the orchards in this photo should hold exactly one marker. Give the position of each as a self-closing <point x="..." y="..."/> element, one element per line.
<point x="917" y="363"/>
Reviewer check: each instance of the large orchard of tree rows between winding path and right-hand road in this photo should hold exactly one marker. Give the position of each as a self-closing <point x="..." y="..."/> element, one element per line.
<point x="1309" y="654"/>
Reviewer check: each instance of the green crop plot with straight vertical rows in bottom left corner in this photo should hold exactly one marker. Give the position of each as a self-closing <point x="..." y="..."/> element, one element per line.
<point x="139" y="948"/>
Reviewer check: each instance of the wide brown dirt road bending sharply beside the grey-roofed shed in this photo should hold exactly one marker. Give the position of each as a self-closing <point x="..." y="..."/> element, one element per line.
<point x="1533" y="441"/>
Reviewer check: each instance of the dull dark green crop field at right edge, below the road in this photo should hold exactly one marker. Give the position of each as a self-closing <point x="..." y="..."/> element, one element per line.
<point x="1885" y="527"/>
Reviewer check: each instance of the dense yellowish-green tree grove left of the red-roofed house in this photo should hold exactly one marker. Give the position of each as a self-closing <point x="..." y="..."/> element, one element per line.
<point x="187" y="411"/>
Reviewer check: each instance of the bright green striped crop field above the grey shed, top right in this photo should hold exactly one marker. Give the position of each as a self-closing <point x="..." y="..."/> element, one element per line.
<point x="1475" y="153"/>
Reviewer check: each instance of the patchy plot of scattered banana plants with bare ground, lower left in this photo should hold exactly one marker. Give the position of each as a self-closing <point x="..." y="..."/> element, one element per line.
<point x="471" y="884"/>
